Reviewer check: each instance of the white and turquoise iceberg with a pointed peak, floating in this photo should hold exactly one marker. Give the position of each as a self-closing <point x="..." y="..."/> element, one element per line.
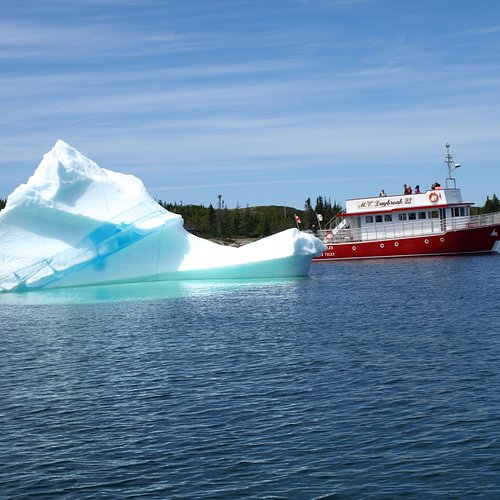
<point x="74" y="223"/>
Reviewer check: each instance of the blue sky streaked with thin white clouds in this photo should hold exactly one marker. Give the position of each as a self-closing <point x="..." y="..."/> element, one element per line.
<point x="262" y="101"/>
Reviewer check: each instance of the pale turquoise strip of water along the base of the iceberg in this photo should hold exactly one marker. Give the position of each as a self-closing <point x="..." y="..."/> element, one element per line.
<point x="163" y="290"/>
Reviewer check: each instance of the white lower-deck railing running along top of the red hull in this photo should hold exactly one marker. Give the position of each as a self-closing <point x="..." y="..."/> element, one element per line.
<point x="405" y="229"/>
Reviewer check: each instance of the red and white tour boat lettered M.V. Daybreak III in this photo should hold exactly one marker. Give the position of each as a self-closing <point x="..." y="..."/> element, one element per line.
<point x="430" y="223"/>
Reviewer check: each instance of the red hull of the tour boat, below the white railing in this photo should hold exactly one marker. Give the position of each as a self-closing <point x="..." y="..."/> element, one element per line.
<point x="466" y="241"/>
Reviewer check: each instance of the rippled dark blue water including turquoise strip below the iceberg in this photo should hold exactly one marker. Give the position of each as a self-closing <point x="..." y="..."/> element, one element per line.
<point x="375" y="379"/>
